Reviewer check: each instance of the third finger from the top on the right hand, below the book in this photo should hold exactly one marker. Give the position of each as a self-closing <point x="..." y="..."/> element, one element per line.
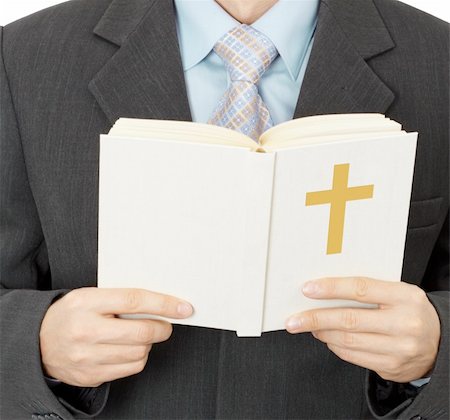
<point x="362" y="342"/>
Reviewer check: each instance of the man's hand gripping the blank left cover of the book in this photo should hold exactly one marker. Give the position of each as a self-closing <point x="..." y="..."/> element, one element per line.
<point x="83" y="343"/>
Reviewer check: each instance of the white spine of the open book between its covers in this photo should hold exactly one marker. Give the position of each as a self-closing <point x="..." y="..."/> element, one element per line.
<point x="259" y="184"/>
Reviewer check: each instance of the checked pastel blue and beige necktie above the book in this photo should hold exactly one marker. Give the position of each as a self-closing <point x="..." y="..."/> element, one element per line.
<point x="247" y="54"/>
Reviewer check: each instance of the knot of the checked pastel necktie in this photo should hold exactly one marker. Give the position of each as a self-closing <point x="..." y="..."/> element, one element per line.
<point x="246" y="53"/>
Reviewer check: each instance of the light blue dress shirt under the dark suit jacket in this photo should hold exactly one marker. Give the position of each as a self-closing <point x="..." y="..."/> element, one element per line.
<point x="289" y="24"/>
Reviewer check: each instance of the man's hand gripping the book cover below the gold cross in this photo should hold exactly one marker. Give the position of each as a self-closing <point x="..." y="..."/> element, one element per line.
<point x="398" y="340"/>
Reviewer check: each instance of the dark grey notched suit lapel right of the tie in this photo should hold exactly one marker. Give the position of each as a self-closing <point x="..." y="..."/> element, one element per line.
<point x="338" y="78"/>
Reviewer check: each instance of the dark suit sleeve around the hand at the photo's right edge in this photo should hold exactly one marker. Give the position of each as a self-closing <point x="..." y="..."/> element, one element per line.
<point x="388" y="400"/>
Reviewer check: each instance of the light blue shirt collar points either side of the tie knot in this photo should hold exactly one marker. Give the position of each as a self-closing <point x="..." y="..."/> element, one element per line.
<point x="201" y="23"/>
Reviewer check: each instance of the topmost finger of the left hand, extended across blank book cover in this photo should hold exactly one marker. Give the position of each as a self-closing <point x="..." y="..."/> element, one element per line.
<point x="140" y="301"/>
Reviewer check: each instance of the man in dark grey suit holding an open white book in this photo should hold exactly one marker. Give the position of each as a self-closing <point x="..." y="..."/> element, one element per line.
<point x="67" y="74"/>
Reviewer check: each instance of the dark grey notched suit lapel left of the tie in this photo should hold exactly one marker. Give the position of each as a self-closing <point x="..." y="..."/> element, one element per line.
<point x="144" y="79"/>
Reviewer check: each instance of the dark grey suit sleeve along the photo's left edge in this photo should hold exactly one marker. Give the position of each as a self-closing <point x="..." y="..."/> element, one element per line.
<point x="25" y="280"/>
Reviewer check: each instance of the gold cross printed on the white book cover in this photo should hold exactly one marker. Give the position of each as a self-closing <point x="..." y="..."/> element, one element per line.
<point x="337" y="198"/>
